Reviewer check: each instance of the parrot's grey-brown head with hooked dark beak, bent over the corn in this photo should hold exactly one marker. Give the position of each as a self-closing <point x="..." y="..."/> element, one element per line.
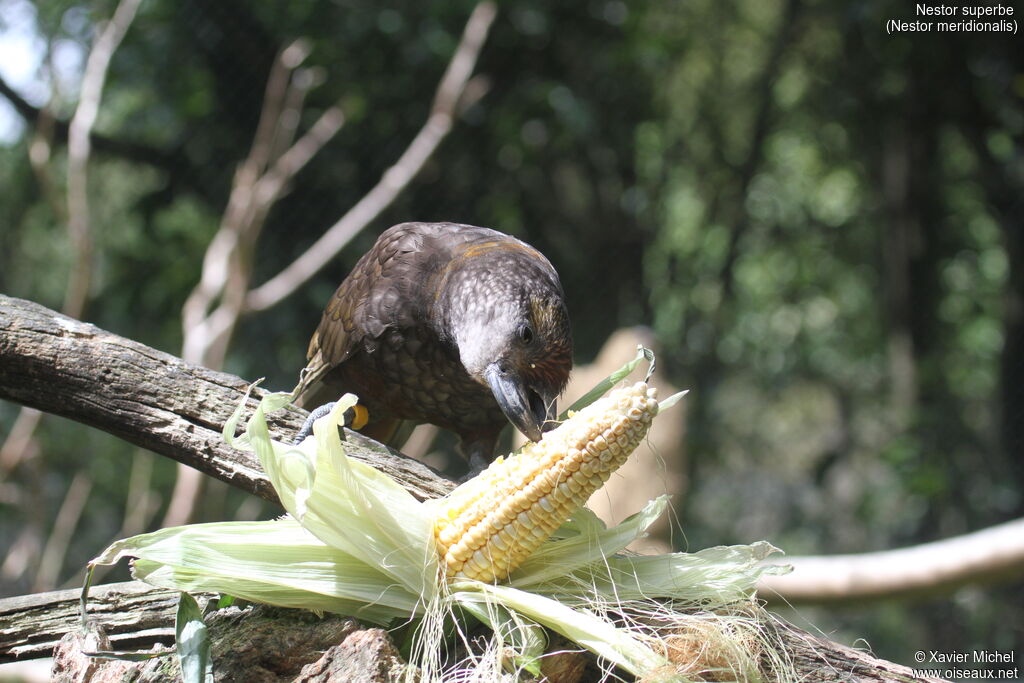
<point x="513" y="332"/>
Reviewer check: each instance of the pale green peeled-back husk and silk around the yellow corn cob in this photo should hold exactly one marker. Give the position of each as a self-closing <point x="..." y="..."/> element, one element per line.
<point x="357" y="543"/>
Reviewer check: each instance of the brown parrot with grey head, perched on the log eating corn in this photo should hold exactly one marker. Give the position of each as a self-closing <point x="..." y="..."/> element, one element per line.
<point x="458" y="326"/>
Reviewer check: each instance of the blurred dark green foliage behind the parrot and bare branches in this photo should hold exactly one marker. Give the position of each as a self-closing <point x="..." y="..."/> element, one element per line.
<point x="822" y="223"/>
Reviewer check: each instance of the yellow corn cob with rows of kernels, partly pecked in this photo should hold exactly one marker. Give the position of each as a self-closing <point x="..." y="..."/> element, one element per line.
<point x="493" y="523"/>
